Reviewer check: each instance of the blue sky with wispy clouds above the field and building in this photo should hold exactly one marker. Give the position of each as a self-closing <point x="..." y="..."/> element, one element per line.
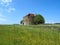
<point x="12" y="11"/>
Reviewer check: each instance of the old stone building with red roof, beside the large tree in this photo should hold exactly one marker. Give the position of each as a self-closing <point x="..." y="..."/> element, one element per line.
<point x="28" y="19"/>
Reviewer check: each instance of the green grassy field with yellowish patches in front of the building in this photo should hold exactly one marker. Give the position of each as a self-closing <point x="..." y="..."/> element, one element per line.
<point x="30" y="35"/>
